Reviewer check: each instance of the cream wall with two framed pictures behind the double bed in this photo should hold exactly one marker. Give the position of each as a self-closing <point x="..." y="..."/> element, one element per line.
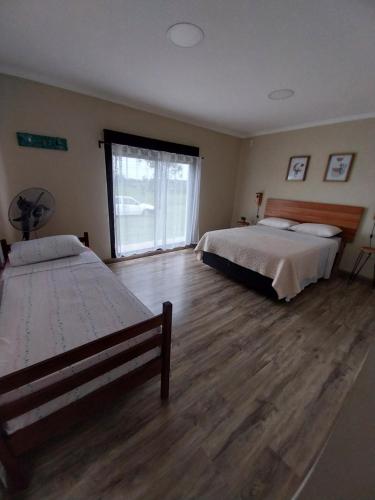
<point x="264" y="162"/>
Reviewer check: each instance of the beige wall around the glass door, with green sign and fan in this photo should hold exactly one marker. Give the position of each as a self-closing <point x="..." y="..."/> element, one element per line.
<point x="77" y="177"/>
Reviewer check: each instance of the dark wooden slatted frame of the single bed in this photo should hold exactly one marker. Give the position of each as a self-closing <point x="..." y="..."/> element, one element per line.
<point x="13" y="446"/>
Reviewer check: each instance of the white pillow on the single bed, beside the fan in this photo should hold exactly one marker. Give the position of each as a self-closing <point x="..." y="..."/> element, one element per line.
<point x="41" y="249"/>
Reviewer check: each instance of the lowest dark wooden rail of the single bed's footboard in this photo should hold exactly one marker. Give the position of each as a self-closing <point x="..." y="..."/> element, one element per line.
<point x="58" y="422"/>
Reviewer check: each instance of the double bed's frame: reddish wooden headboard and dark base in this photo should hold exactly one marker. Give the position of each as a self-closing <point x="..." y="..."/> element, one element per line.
<point x="347" y="217"/>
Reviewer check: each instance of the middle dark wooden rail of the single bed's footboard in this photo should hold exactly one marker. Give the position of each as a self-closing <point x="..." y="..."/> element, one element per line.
<point x="27" y="403"/>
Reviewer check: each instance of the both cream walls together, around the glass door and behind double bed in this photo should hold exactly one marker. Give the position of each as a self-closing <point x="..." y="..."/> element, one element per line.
<point x="77" y="177"/>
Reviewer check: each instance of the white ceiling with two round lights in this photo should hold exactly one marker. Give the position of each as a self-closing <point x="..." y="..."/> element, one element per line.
<point x="118" y="49"/>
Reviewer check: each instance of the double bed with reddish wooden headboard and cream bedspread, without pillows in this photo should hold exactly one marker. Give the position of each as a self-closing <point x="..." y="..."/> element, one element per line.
<point x="278" y="262"/>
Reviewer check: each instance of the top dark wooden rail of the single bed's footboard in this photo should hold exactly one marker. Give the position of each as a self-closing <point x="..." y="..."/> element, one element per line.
<point x="51" y="365"/>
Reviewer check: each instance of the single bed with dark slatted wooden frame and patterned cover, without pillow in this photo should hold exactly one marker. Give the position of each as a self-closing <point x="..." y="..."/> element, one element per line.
<point x="72" y="336"/>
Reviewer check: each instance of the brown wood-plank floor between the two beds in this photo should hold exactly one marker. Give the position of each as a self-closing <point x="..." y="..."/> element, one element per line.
<point x="255" y="388"/>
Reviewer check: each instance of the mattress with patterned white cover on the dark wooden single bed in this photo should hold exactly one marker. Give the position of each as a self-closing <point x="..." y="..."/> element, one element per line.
<point x="51" y="307"/>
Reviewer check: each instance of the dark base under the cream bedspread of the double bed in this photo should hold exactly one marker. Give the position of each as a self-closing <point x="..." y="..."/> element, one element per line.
<point x="249" y="278"/>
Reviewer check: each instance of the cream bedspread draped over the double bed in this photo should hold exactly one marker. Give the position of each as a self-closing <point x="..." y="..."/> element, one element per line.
<point x="292" y="260"/>
